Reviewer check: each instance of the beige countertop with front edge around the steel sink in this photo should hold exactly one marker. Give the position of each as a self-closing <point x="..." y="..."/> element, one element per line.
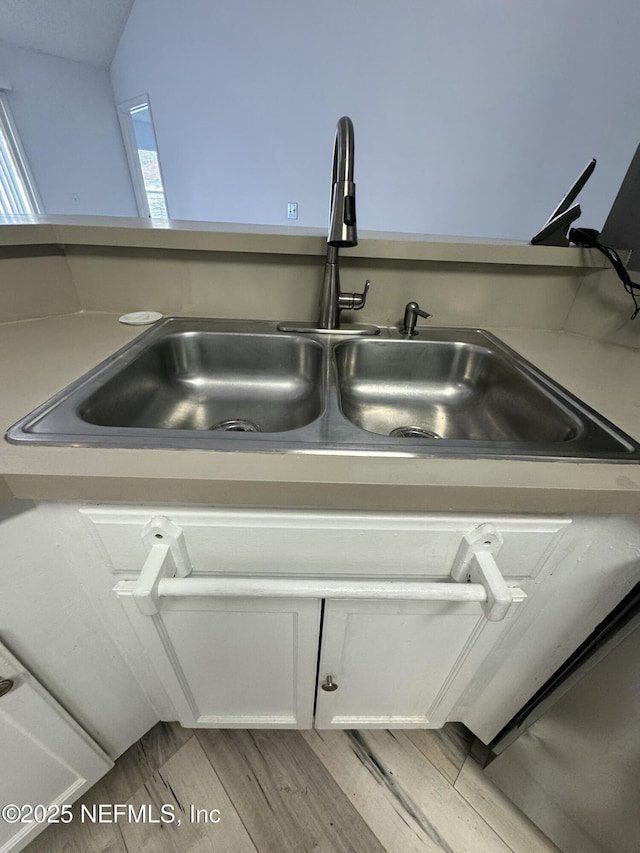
<point x="39" y="357"/>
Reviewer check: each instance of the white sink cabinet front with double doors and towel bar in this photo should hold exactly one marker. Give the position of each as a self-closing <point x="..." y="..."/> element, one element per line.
<point x="233" y="607"/>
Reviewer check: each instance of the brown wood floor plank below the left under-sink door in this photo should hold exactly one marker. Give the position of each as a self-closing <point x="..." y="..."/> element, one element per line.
<point x="287" y="799"/>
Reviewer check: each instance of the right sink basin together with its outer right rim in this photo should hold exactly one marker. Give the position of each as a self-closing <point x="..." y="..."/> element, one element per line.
<point x="464" y="385"/>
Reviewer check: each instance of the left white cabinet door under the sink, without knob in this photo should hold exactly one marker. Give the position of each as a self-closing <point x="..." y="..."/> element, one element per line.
<point x="234" y="662"/>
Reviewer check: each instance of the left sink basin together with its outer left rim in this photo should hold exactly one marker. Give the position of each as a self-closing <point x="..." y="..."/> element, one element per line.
<point x="187" y="382"/>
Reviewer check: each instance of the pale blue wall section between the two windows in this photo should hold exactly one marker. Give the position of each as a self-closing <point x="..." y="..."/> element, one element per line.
<point x="66" y="118"/>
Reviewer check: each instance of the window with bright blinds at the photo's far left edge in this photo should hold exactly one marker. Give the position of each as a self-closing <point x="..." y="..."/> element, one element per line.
<point x="17" y="189"/>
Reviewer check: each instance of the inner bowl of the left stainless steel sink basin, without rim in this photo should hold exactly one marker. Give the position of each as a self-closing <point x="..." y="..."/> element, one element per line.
<point x="200" y="380"/>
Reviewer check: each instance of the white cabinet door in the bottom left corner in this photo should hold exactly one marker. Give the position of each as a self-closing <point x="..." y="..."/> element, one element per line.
<point x="47" y="759"/>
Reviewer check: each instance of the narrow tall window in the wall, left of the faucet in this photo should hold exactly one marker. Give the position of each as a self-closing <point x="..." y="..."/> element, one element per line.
<point x="142" y="152"/>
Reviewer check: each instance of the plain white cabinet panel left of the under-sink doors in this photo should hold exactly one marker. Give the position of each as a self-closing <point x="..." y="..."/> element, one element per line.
<point x="55" y="617"/>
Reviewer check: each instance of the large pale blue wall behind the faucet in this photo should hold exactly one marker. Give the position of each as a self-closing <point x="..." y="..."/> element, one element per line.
<point x="472" y="118"/>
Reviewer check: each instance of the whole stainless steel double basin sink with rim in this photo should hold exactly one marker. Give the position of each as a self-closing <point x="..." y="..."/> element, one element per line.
<point x="241" y="385"/>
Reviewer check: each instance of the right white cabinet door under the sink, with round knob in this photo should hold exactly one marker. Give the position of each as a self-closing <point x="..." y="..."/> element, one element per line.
<point x="394" y="662"/>
